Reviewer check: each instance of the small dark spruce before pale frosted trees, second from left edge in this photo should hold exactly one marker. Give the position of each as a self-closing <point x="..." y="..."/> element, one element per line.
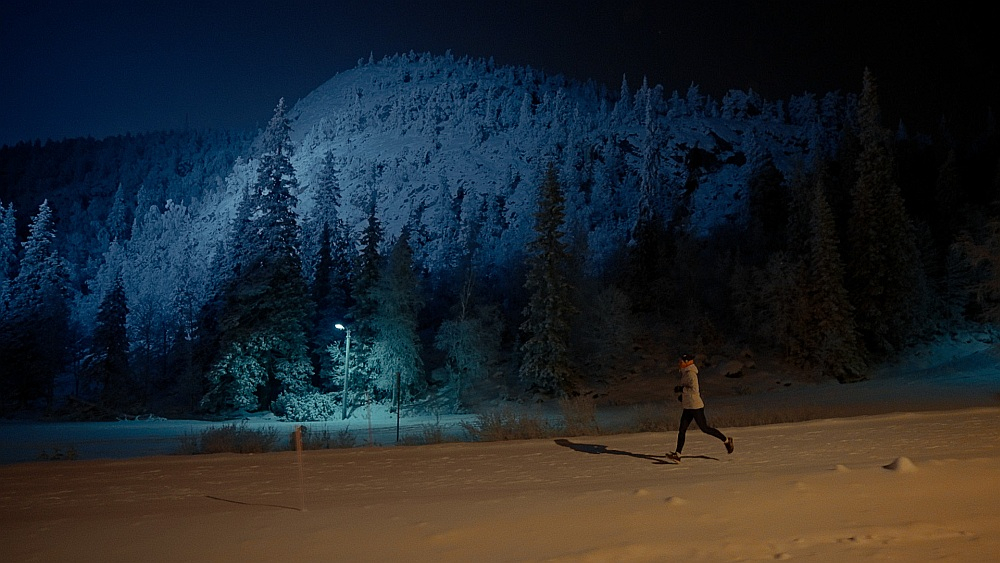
<point x="107" y="366"/>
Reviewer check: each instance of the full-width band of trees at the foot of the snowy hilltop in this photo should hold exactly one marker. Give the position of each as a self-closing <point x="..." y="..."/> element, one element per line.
<point x="841" y="265"/>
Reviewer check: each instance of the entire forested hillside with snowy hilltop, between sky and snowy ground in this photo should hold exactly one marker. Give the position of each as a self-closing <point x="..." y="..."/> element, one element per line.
<point x="436" y="233"/>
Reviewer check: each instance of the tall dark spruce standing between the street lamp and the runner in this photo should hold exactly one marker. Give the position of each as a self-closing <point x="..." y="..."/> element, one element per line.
<point x="545" y="364"/>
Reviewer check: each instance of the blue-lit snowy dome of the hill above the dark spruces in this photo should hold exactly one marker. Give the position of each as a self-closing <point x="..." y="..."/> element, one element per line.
<point x="456" y="149"/>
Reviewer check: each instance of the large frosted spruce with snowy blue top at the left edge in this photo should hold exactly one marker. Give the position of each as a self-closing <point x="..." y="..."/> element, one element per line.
<point x="34" y="322"/>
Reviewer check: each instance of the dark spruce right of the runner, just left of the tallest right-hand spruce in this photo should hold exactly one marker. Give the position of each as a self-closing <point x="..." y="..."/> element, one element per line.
<point x="830" y="340"/>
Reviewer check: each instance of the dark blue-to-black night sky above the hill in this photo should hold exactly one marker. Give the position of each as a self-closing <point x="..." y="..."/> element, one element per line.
<point x="76" y="67"/>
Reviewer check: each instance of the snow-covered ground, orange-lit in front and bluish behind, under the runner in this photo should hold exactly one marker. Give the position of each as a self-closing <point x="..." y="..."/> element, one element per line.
<point x="916" y="482"/>
